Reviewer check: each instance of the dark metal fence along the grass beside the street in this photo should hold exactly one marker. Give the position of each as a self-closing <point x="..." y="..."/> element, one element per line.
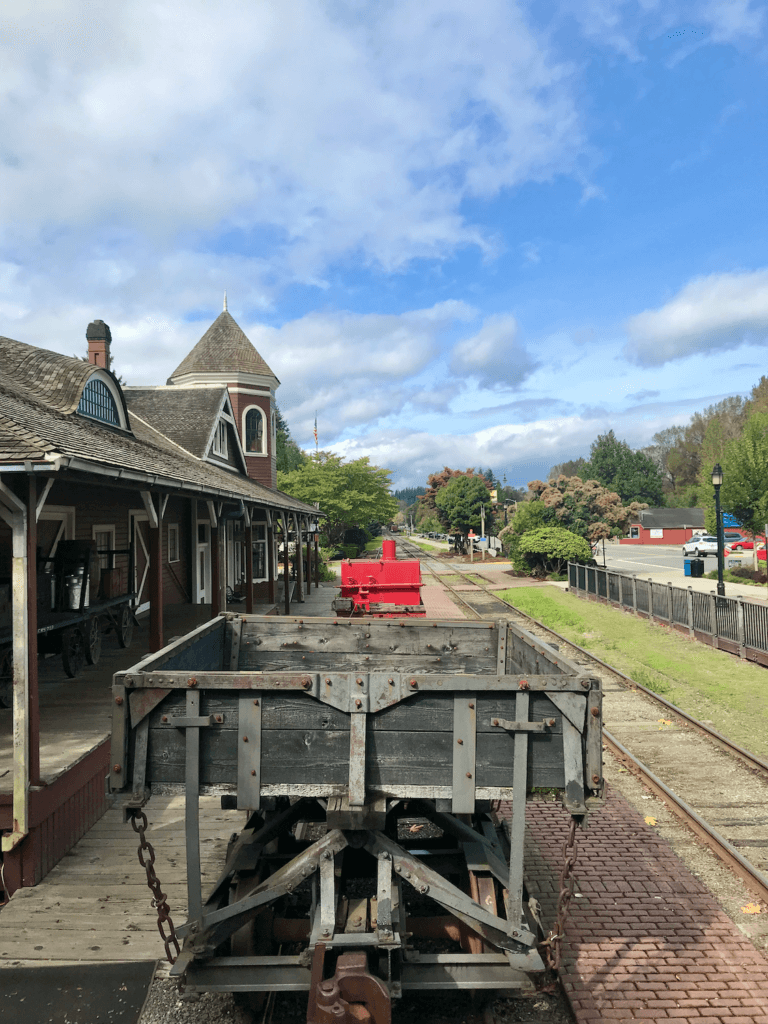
<point x="732" y="623"/>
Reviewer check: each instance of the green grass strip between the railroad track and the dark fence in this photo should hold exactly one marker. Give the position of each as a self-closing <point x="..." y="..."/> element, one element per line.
<point x="709" y="685"/>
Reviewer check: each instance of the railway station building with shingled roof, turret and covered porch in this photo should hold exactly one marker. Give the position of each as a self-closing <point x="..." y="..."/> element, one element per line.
<point x="122" y="506"/>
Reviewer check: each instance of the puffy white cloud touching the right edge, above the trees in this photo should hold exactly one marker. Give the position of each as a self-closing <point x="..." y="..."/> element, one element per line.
<point x="719" y="312"/>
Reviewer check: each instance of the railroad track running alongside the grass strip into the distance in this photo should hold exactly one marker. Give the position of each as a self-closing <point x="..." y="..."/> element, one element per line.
<point x="715" y="787"/>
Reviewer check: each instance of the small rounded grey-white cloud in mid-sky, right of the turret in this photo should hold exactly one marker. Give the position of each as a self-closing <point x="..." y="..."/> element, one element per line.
<point x="495" y="356"/>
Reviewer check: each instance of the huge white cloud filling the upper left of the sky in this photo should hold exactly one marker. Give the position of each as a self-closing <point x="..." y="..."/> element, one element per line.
<point x="338" y="129"/>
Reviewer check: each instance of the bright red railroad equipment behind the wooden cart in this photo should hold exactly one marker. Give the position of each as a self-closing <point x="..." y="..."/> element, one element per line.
<point x="385" y="588"/>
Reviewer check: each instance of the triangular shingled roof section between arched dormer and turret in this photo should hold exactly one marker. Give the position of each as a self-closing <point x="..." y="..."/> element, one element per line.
<point x="185" y="415"/>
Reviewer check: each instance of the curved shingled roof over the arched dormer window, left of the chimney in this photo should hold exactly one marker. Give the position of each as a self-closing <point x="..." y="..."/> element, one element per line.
<point x="56" y="380"/>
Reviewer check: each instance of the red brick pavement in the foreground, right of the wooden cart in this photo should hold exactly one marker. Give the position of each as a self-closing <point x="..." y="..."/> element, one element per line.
<point x="646" y="941"/>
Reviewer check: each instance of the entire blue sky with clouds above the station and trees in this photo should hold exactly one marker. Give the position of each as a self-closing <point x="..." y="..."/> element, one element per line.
<point x="463" y="234"/>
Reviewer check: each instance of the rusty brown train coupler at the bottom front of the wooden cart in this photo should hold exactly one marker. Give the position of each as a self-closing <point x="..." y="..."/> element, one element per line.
<point x="354" y="996"/>
